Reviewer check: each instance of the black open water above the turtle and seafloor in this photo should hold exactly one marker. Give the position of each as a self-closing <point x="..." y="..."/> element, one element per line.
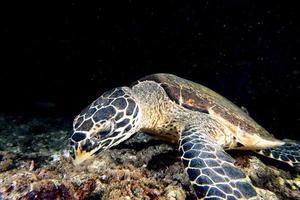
<point x="58" y="57"/>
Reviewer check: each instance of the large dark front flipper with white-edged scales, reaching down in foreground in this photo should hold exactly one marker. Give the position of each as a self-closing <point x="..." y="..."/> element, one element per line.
<point x="210" y="169"/>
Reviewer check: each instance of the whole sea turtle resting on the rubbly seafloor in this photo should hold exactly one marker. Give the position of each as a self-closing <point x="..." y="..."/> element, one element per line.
<point x="204" y="123"/>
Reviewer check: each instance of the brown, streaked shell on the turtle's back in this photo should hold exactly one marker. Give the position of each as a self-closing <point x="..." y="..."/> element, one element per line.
<point x="197" y="97"/>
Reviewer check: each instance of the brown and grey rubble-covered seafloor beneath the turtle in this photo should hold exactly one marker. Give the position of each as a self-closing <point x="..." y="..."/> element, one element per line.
<point x="34" y="164"/>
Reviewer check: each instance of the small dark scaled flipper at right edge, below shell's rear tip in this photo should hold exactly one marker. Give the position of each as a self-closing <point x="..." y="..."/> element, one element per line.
<point x="289" y="153"/>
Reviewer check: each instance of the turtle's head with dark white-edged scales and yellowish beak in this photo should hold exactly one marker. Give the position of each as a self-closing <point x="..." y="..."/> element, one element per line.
<point x="109" y="120"/>
